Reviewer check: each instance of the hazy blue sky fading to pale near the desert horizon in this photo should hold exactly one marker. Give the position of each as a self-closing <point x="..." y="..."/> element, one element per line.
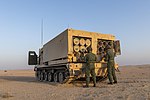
<point x="20" y="26"/>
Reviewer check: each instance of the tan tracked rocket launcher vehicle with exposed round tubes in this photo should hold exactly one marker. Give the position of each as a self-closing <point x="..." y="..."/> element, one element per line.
<point x="60" y="59"/>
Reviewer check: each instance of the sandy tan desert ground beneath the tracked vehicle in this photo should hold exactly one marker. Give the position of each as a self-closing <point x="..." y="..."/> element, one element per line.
<point x="133" y="84"/>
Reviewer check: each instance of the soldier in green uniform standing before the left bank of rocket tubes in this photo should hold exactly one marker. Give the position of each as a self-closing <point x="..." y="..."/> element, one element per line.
<point x="90" y="59"/>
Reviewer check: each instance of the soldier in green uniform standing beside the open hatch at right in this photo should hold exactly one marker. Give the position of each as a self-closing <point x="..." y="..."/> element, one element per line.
<point x="110" y="55"/>
